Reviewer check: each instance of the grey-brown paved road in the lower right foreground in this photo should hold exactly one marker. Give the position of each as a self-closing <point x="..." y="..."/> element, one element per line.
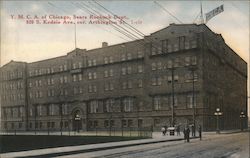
<point x="212" y="146"/>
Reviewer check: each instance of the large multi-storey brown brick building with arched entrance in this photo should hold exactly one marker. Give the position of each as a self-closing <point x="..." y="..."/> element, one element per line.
<point x="133" y="84"/>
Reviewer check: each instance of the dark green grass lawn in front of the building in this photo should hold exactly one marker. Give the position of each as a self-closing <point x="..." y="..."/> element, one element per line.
<point x="13" y="143"/>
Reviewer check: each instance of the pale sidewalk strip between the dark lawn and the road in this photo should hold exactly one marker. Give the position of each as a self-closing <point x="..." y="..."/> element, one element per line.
<point x="60" y="151"/>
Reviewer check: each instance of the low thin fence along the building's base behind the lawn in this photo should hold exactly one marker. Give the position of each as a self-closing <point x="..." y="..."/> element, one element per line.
<point x="111" y="131"/>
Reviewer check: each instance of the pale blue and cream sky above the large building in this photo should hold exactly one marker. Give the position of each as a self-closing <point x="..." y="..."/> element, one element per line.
<point x="33" y="42"/>
